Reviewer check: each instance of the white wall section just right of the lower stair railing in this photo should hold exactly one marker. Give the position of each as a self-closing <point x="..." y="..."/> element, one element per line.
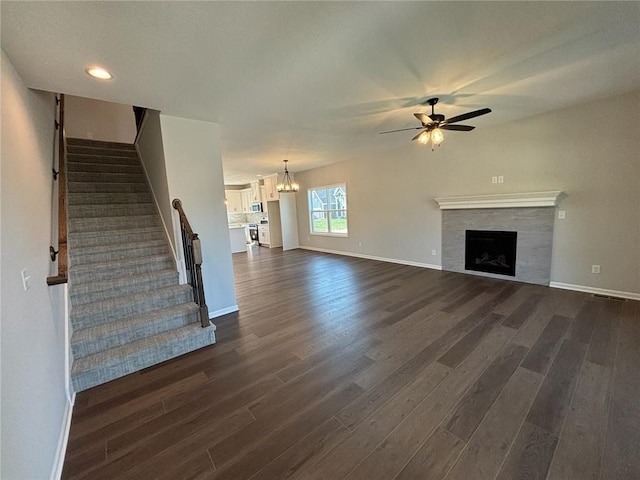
<point x="194" y="175"/>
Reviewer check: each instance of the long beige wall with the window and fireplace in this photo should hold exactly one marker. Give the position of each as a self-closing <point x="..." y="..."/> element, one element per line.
<point x="591" y="151"/>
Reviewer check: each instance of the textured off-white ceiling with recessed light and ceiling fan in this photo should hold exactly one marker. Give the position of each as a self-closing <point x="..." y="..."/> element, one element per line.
<point x="315" y="82"/>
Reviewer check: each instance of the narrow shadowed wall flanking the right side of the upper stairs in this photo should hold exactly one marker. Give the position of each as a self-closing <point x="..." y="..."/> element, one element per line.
<point x="149" y="145"/>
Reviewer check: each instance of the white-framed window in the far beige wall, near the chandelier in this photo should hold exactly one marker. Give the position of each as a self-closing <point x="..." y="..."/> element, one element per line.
<point x="328" y="210"/>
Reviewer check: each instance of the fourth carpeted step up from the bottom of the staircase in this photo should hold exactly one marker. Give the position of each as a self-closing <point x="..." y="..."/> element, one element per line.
<point x="96" y="291"/>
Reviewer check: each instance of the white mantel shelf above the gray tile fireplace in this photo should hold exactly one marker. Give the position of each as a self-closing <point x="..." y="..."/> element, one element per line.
<point x="501" y="200"/>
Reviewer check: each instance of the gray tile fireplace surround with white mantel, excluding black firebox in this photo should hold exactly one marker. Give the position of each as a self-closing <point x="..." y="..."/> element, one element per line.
<point x="531" y="214"/>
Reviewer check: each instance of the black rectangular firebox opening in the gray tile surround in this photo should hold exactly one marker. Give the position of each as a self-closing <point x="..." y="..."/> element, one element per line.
<point x="491" y="251"/>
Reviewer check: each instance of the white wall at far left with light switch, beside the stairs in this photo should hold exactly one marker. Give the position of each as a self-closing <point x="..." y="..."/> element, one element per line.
<point x="33" y="400"/>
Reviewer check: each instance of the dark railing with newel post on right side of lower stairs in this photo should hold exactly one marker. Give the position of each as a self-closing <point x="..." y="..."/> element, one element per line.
<point x="193" y="262"/>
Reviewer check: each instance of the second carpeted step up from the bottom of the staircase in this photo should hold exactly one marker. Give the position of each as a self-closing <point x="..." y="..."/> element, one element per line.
<point x="89" y="341"/>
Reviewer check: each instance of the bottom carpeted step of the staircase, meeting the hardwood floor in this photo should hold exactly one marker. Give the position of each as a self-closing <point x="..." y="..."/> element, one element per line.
<point x="117" y="362"/>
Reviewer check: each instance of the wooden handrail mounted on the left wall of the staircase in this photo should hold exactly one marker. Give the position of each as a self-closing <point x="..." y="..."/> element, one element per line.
<point x="61" y="177"/>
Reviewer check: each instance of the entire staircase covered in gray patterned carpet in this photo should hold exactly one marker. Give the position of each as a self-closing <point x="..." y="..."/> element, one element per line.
<point x="128" y="310"/>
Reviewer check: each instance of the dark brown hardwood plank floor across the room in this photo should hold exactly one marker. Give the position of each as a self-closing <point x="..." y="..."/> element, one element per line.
<point x="337" y="367"/>
